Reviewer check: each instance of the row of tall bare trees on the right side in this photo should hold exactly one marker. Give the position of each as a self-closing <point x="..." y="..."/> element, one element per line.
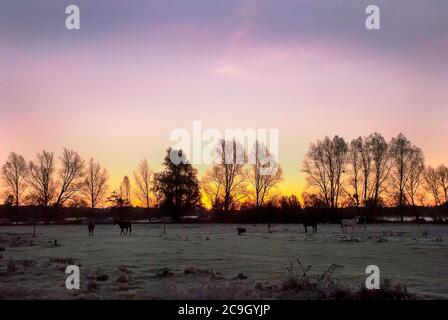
<point x="369" y="172"/>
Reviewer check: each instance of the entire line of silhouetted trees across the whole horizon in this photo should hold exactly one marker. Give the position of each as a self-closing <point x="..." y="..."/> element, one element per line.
<point x="365" y="173"/>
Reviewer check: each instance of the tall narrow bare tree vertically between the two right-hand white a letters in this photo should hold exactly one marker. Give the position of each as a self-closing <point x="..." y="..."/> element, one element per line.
<point x="380" y="166"/>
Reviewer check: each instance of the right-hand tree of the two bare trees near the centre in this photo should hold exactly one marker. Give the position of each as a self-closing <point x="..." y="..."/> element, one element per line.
<point x="266" y="173"/>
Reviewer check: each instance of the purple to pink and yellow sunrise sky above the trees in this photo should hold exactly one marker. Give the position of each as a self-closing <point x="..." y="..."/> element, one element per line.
<point x="136" y="70"/>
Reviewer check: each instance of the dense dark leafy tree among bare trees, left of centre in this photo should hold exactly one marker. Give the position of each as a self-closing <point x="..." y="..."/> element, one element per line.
<point x="177" y="185"/>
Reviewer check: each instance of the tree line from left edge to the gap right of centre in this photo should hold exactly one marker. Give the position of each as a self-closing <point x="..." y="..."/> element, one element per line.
<point x="70" y="181"/>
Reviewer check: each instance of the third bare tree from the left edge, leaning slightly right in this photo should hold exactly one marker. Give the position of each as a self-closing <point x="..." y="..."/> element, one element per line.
<point x="70" y="176"/>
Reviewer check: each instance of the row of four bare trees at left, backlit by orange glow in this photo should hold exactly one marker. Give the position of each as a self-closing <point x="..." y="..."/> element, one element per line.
<point x="45" y="181"/>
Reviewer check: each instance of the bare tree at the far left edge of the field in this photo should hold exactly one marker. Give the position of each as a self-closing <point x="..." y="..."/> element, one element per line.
<point x="14" y="173"/>
